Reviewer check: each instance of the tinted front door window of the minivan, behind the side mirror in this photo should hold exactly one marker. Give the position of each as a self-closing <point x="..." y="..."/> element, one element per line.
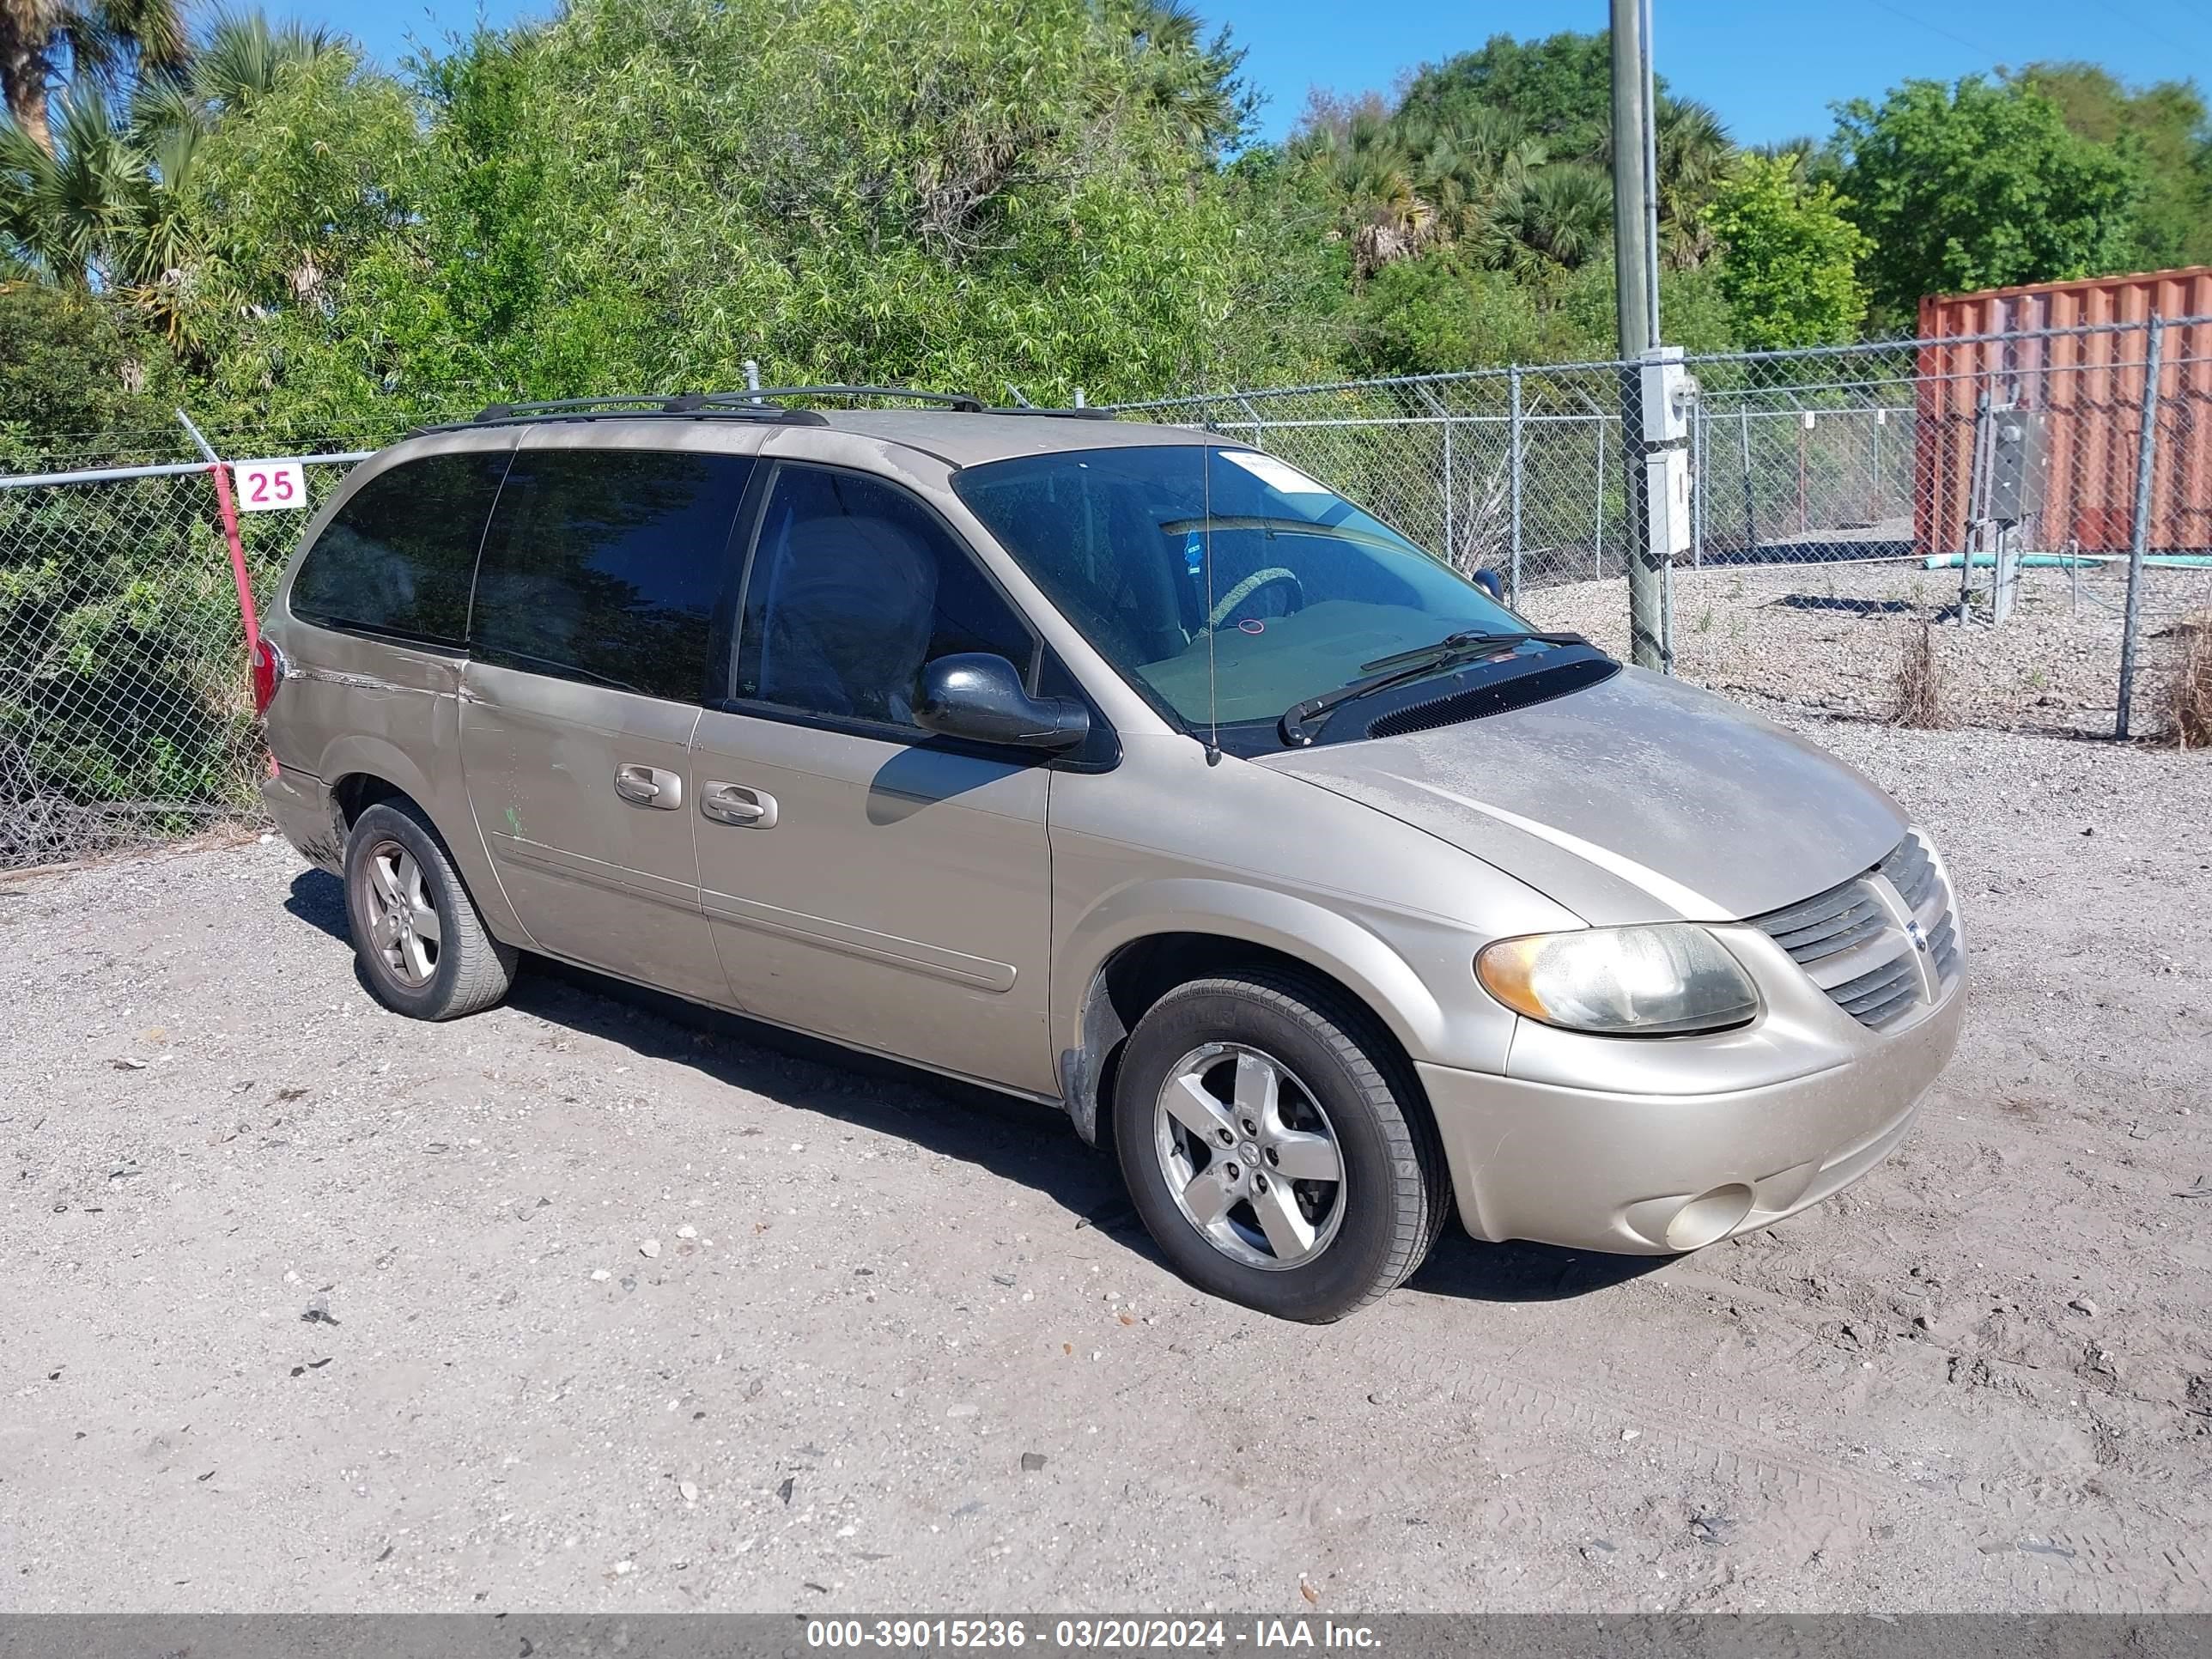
<point x="853" y="589"/>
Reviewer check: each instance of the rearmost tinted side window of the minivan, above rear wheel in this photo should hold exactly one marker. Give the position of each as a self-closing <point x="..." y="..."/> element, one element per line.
<point x="401" y="552"/>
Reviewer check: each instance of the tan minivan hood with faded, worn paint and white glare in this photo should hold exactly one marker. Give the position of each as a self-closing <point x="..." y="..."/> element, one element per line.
<point x="1629" y="802"/>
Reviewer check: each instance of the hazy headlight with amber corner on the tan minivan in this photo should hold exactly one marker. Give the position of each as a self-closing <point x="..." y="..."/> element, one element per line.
<point x="1623" y="981"/>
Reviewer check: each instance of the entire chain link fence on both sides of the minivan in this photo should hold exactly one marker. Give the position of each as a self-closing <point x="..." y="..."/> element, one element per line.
<point x="1939" y="532"/>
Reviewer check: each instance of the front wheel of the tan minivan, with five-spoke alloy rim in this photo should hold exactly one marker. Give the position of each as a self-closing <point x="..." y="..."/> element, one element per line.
<point x="1337" y="1078"/>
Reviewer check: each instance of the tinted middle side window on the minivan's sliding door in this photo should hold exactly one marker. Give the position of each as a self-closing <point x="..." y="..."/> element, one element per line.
<point x="605" y="563"/>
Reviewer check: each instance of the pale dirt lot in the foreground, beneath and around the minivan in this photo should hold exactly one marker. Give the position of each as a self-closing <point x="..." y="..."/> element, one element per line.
<point x="315" y="1308"/>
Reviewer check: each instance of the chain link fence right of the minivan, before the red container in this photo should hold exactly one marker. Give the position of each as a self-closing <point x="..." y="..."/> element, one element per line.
<point x="1934" y="532"/>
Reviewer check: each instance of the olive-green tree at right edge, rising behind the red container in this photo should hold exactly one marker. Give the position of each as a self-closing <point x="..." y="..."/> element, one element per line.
<point x="2171" y="134"/>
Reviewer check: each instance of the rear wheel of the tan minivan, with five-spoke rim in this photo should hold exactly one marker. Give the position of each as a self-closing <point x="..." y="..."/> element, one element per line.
<point x="463" y="970"/>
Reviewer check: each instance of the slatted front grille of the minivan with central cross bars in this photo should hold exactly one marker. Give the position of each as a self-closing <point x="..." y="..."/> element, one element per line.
<point x="1857" y="946"/>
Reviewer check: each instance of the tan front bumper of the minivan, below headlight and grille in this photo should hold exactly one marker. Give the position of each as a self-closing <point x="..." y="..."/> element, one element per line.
<point x="1645" y="1176"/>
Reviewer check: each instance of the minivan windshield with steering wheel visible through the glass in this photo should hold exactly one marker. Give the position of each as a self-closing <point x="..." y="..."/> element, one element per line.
<point x="1222" y="581"/>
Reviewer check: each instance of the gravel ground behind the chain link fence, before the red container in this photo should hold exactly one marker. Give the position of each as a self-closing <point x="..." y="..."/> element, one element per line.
<point x="1828" y="638"/>
